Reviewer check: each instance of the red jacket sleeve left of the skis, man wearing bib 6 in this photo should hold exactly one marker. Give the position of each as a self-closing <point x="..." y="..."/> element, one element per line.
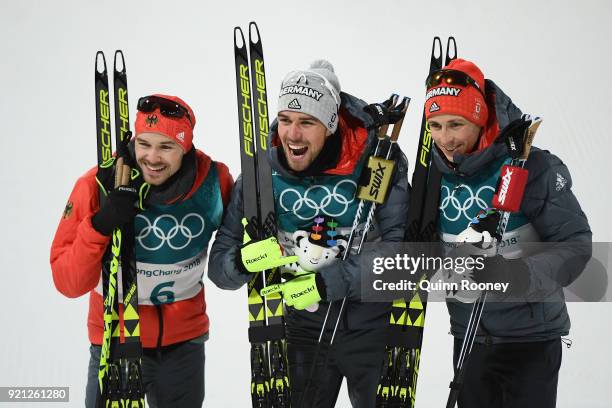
<point x="77" y="248"/>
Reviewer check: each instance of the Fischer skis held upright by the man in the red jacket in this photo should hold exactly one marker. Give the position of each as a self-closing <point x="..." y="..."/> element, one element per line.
<point x="119" y="376"/>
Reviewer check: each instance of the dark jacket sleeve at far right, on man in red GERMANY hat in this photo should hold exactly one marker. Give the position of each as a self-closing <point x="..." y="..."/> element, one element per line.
<point x="556" y="215"/>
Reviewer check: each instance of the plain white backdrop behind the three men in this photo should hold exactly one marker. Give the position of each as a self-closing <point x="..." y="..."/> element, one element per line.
<point x="549" y="56"/>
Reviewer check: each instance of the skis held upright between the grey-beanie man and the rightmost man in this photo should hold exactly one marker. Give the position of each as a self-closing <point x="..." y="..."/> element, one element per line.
<point x="400" y="371"/>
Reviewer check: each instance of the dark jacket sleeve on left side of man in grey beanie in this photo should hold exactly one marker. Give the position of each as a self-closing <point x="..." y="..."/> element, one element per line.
<point x="222" y="268"/>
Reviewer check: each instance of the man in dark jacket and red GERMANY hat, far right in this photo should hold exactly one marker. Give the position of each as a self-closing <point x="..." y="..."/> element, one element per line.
<point x="517" y="355"/>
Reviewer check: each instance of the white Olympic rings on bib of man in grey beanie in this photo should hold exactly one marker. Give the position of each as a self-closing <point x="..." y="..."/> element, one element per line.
<point x="326" y="205"/>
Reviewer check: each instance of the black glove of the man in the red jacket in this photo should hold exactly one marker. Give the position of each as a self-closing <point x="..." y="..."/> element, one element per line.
<point x="118" y="209"/>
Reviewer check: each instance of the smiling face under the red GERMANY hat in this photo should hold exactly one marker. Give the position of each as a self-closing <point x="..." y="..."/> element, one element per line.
<point x="453" y="134"/>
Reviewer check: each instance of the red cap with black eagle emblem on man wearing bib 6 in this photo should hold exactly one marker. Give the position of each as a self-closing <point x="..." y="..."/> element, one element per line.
<point x="178" y="129"/>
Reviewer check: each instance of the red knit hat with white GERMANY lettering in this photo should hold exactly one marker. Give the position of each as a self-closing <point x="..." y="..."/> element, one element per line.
<point x="466" y="101"/>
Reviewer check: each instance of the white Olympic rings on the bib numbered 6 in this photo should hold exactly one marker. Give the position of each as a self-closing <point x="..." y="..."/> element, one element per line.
<point x="186" y="232"/>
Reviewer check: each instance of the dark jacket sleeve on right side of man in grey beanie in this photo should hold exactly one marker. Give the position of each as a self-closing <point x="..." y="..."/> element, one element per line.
<point x="343" y="279"/>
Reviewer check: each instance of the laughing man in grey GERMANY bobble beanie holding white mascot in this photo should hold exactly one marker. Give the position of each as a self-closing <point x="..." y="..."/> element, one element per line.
<point x="320" y="144"/>
